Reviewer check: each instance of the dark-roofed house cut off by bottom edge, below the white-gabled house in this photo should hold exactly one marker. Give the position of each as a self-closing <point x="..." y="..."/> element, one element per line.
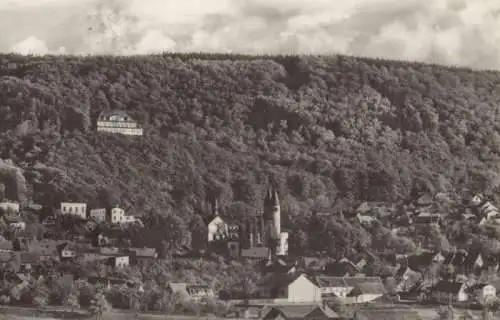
<point x="296" y="312"/>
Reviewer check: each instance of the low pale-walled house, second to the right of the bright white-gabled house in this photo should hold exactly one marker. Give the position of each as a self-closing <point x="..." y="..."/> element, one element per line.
<point x="365" y="289"/>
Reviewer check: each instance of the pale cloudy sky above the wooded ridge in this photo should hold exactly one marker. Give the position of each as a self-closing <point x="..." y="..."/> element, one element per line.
<point x="453" y="32"/>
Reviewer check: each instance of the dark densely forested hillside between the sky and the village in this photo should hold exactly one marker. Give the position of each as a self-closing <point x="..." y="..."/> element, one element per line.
<point x="331" y="131"/>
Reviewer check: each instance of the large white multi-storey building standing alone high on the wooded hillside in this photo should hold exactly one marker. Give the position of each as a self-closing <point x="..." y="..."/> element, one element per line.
<point x="118" y="121"/>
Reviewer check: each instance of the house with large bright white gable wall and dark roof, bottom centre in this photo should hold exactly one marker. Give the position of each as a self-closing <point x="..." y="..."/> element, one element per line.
<point x="289" y="288"/>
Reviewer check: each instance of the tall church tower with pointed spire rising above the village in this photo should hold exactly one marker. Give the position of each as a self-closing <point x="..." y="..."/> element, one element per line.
<point x="272" y="220"/>
